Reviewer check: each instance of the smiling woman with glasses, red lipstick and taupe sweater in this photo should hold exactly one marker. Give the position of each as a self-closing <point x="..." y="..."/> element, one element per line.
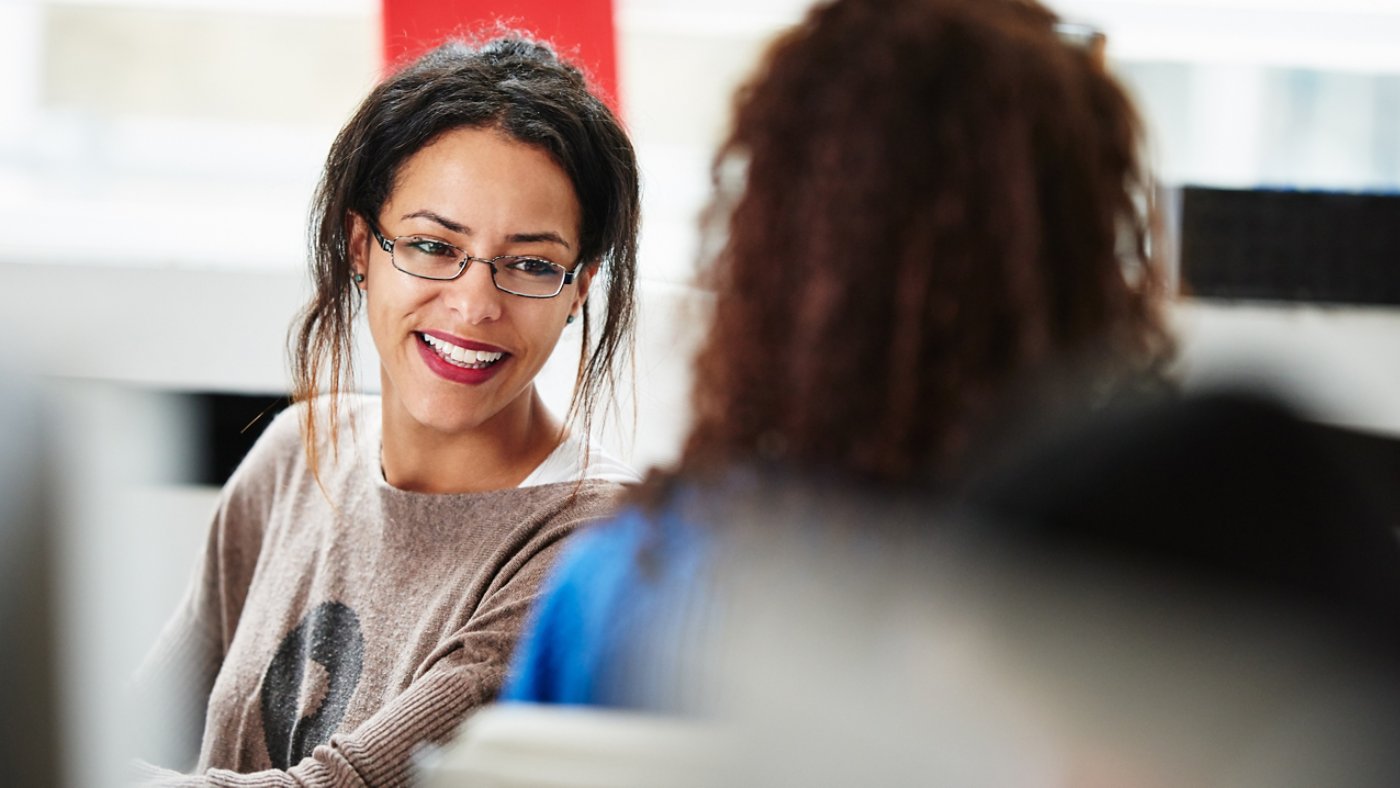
<point x="373" y="558"/>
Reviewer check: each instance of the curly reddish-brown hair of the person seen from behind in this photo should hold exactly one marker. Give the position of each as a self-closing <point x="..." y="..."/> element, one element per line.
<point x="920" y="205"/>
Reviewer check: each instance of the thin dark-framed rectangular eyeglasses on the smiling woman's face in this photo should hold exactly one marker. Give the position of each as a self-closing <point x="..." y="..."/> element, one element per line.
<point x="429" y="258"/>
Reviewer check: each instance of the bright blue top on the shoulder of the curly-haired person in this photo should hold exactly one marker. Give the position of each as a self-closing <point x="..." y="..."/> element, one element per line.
<point x="594" y="638"/>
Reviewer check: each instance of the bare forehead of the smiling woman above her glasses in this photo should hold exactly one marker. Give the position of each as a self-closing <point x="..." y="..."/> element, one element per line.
<point x="489" y="183"/>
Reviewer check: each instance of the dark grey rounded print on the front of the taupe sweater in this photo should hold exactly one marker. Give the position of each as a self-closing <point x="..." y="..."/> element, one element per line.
<point x="302" y="712"/>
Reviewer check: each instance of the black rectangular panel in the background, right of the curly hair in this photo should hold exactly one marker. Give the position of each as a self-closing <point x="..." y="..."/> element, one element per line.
<point x="1282" y="246"/>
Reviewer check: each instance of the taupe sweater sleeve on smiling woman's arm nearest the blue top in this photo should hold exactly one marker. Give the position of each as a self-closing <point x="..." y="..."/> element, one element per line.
<point x="464" y="674"/>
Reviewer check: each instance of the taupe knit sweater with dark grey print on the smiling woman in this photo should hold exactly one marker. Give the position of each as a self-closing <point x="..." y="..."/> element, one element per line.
<point x="330" y="636"/>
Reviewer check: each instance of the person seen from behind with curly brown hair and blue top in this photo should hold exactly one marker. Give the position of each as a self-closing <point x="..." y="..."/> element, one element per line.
<point x="929" y="215"/>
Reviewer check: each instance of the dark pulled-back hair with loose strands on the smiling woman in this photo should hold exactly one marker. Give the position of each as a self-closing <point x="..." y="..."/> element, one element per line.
<point x="513" y="85"/>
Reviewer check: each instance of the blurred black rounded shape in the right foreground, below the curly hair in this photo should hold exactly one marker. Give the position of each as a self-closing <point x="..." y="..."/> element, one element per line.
<point x="1226" y="489"/>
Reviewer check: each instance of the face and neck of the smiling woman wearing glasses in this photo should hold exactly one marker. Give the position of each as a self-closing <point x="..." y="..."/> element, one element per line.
<point x="482" y="191"/>
